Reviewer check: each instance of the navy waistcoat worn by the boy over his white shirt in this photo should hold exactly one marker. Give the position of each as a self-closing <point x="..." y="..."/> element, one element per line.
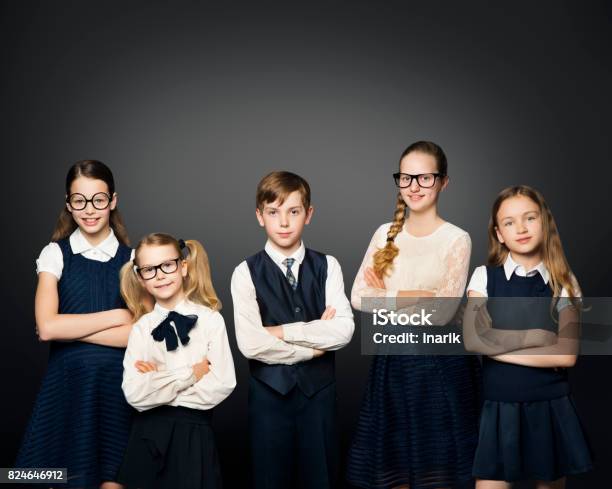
<point x="280" y="304"/>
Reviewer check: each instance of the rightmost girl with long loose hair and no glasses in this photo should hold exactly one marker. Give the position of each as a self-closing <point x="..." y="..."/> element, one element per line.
<point x="529" y="429"/>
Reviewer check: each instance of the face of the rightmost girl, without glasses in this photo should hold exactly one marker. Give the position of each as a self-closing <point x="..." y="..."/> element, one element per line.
<point x="519" y="225"/>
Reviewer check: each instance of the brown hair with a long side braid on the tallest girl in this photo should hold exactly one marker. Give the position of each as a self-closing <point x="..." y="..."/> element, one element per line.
<point x="383" y="258"/>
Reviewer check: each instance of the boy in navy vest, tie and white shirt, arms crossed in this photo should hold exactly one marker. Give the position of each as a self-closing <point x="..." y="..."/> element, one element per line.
<point x="291" y="314"/>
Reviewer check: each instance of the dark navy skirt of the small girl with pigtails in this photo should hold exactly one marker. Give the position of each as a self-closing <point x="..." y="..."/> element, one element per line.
<point x="171" y="448"/>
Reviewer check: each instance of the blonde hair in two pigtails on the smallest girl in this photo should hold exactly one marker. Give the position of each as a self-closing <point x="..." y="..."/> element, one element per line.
<point x="197" y="285"/>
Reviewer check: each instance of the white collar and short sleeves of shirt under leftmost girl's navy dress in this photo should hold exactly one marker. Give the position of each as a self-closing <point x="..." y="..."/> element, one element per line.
<point x="52" y="261"/>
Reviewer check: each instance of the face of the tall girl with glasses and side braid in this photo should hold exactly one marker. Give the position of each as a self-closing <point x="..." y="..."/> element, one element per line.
<point x="420" y="199"/>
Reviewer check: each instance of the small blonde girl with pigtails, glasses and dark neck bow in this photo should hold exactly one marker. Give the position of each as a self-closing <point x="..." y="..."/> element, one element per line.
<point x="178" y="366"/>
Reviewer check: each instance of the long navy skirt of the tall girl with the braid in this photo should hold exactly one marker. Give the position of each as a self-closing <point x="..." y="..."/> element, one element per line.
<point x="418" y="423"/>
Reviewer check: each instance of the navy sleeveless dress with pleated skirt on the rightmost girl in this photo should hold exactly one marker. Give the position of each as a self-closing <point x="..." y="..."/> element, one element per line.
<point x="529" y="429"/>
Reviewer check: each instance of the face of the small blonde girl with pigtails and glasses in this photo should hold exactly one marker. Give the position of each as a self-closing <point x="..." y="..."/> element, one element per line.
<point x="166" y="288"/>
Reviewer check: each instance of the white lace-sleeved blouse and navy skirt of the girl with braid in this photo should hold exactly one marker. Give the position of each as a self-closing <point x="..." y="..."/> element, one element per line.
<point x="418" y="422"/>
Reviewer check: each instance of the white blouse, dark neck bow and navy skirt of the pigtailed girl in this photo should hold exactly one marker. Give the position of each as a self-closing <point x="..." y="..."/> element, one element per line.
<point x="171" y="443"/>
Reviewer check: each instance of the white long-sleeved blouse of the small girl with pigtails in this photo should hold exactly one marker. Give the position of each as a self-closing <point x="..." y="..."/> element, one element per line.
<point x="174" y="382"/>
